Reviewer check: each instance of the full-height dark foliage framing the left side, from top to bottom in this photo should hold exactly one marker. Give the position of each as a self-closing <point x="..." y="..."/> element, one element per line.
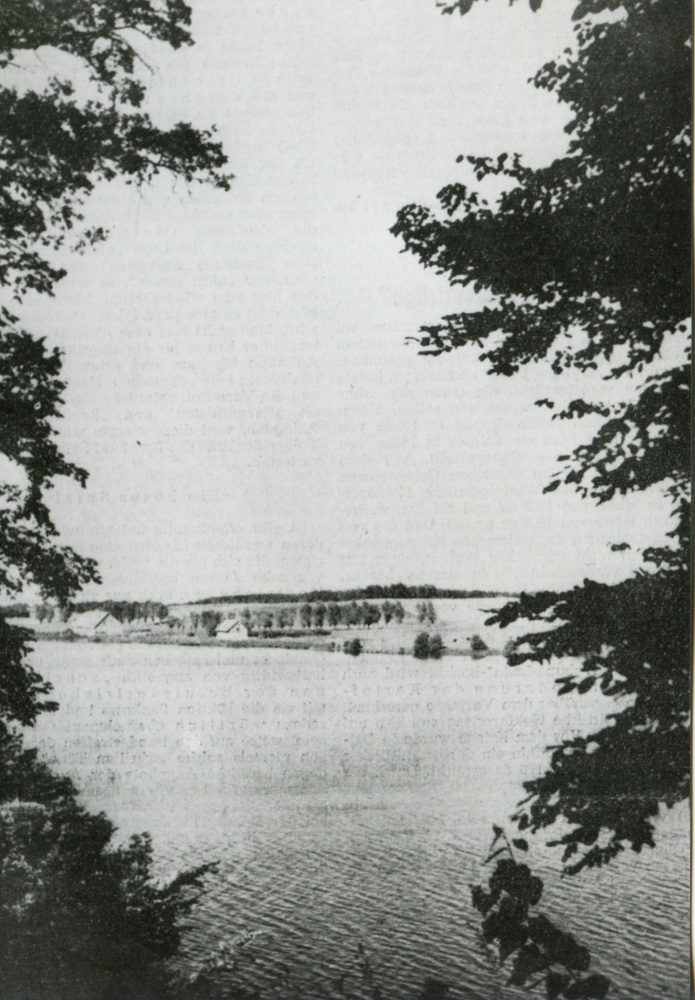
<point x="78" y="918"/>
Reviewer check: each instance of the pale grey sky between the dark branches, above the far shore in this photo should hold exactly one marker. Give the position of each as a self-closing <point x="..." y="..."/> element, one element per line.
<point x="240" y="386"/>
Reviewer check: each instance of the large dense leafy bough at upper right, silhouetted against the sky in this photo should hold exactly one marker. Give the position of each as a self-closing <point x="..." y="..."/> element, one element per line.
<point x="598" y="240"/>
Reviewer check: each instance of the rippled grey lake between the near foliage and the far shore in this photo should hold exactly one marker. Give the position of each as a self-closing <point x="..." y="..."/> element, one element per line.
<point x="349" y="802"/>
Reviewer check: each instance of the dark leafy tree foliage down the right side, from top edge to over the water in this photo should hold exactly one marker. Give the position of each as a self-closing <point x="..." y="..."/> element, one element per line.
<point x="586" y="264"/>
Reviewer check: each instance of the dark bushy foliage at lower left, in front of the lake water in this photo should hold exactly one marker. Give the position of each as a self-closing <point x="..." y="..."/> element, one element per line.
<point x="76" y="916"/>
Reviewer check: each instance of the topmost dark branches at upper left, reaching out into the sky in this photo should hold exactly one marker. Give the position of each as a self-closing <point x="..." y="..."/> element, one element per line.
<point x="56" y="147"/>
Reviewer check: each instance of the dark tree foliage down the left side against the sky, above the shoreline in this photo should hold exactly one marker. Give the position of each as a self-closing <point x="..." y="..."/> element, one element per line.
<point x="55" y="148"/>
